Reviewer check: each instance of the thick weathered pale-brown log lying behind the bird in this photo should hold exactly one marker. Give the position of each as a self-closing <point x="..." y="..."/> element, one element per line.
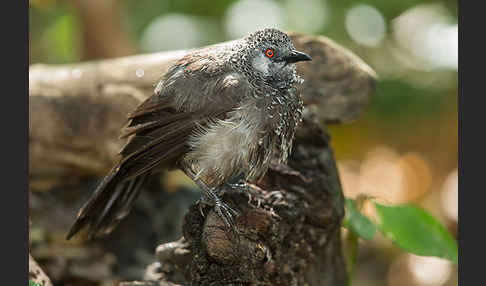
<point x="76" y="110"/>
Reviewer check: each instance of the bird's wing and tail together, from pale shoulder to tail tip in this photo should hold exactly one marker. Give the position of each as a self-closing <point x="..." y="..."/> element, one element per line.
<point x="192" y="92"/>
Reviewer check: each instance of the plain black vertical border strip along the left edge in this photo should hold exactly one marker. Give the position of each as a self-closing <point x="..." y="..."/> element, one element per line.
<point x="15" y="143"/>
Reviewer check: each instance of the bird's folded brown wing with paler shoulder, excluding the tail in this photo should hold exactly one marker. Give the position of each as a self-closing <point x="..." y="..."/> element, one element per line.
<point x="194" y="91"/>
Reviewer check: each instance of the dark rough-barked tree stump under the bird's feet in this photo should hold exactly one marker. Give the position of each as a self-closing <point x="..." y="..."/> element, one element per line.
<point x="288" y="228"/>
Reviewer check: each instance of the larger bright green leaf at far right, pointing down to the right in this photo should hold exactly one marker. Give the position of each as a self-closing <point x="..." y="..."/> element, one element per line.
<point x="416" y="231"/>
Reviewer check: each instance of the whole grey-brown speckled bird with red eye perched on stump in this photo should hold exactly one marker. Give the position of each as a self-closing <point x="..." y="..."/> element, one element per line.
<point x="219" y="113"/>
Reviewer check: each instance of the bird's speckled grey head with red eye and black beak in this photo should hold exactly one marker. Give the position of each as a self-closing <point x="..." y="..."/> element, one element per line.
<point x="268" y="55"/>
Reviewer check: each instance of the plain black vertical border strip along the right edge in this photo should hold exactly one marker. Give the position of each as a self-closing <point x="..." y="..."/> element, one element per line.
<point x="471" y="187"/>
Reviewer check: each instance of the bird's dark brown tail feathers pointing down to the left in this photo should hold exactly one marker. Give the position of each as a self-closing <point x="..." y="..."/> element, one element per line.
<point x="110" y="203"/>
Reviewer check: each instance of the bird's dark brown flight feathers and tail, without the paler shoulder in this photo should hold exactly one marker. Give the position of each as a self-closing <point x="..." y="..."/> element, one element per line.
<point x="158" y="138"/>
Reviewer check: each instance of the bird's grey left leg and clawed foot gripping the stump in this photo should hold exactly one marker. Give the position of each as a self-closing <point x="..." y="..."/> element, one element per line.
<point x="211" y="198"/>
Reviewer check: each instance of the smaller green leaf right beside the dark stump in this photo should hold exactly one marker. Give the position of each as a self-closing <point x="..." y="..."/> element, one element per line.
<point x="357" y="222"/>
